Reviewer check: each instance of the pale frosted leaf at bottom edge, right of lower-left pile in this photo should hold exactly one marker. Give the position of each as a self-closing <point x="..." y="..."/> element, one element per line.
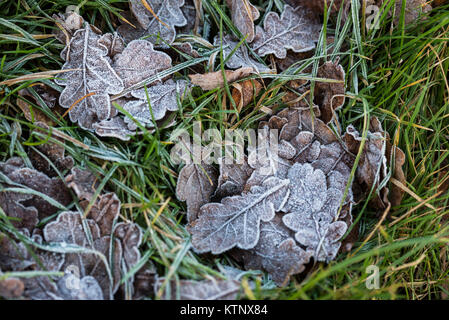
<point x="200" y="290"/>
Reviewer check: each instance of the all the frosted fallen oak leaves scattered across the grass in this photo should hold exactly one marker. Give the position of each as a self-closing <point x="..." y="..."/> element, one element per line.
<point x="275" y="211"/>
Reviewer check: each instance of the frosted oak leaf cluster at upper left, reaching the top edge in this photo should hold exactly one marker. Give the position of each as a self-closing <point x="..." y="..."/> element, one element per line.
<point x="111" y="83"/>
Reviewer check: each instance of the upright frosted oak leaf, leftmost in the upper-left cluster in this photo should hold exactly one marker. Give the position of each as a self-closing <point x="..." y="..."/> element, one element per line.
<point x="90" y="81"/>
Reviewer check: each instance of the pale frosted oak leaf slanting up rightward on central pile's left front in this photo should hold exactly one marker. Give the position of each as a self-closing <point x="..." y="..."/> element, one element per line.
<point x="236" y="220"/>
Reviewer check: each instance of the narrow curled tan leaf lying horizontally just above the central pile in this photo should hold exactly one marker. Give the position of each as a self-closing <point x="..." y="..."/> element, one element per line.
<point x="213" y="80"/>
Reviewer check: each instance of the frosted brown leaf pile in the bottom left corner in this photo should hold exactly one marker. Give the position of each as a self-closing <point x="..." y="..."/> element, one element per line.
<point x="88" y="245"/>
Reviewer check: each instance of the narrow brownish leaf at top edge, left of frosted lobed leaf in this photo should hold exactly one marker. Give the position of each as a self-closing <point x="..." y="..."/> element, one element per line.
<point x="243" y="16"/>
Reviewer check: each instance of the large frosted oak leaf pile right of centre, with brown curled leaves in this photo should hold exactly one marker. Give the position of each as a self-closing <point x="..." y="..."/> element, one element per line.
<point x="287" y="205"/>
